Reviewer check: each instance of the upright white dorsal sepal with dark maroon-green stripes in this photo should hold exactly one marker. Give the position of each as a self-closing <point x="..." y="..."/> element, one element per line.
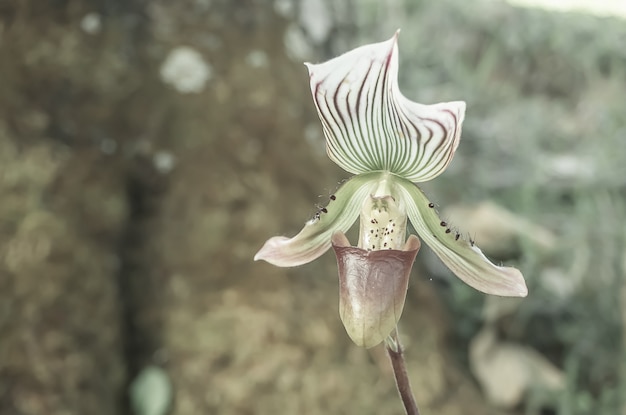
<point x="369" y="125"/>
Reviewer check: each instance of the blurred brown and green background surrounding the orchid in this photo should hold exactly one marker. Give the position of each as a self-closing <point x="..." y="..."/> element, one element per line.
<point x="148" y="148"/>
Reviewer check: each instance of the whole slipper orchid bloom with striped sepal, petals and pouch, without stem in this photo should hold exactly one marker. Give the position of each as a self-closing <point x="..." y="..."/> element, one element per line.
<point x="390" y="143"/>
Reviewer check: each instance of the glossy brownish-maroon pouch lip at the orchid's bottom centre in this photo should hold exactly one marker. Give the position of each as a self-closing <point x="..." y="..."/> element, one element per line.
<point x="372" y="288"/>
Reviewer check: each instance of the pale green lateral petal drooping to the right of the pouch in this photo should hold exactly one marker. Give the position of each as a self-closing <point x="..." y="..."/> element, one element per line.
<point x="460" y="255"/>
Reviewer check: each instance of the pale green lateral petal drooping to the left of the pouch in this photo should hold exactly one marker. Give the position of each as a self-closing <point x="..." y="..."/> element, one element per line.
<point x="314" y="239"/>
